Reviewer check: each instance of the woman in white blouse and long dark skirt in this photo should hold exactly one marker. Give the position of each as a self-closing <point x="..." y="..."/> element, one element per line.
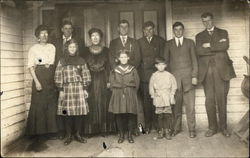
<point x="42" y="113"/>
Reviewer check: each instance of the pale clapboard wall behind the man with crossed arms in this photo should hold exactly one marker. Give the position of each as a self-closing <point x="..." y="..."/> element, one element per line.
<point x="233" y="17"/>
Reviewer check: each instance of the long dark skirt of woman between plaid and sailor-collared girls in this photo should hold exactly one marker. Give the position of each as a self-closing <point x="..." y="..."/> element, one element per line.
<point x="99" y="120"/>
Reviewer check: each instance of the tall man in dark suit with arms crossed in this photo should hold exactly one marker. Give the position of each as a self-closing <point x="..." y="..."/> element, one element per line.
<point x="215" y="72"/>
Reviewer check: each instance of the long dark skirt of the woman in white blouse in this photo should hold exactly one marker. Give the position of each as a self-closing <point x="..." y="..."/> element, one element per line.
<point x="42" y="113"/>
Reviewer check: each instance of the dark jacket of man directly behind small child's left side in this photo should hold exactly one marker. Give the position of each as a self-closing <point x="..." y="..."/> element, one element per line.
<point x="149" y="51"/>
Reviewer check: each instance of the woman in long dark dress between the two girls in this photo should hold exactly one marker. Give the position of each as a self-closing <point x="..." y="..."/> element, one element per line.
<point x="98" y="119"/>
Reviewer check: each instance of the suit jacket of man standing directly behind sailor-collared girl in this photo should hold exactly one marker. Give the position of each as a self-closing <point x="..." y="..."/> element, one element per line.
<point x="131" y="45"/>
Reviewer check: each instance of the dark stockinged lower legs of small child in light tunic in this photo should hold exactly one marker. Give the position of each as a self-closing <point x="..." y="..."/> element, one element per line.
<point x="165" y="121"/>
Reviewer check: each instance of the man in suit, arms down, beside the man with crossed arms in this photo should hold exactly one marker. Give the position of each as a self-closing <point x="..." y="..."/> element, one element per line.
<point x="182" y="62"/>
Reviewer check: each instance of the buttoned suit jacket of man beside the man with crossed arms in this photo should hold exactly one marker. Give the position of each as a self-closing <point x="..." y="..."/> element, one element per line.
<point x="182" y="62"/>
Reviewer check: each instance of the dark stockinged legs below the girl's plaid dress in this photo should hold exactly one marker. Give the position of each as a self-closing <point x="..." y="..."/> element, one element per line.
<point x="73" y="123"/>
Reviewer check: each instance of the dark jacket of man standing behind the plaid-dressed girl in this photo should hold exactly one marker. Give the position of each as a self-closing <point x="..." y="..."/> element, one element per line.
<point x="58" y="42"/>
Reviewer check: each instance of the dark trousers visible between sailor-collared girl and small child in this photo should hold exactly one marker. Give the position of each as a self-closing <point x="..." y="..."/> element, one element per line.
<point x="149" y="110"/>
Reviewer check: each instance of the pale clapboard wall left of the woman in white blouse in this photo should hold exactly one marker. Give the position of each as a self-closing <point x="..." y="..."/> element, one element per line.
<point x="12" y="76"/>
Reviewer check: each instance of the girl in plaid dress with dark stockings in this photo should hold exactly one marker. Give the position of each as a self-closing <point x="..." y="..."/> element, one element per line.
<point x="72" y="78"/>
